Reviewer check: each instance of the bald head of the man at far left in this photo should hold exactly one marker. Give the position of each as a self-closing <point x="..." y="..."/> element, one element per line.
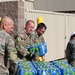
<point x="7" y="24"/>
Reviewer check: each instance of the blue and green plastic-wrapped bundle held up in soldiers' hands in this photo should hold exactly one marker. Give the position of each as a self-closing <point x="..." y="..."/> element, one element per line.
<point x="39" y="49"/>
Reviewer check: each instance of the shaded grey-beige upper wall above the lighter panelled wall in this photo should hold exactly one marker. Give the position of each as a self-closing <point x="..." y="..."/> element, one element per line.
<point x="55" y="5"/>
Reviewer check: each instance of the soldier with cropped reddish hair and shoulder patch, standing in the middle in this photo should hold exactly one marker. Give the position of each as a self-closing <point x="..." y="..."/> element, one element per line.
<point x="24" y="40"/>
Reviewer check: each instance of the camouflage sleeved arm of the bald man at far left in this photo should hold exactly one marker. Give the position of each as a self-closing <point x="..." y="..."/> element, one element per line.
<point x="12" y="53"/>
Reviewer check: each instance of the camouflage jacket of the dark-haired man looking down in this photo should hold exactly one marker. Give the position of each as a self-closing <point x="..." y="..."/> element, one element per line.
<point x="36" y="38"/>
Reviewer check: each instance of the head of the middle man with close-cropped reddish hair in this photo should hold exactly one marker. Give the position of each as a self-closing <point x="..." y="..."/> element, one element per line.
<point x="30" y="25"/>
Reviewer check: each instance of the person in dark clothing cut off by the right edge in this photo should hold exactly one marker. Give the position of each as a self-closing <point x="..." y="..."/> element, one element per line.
<point x="70" y="50"/>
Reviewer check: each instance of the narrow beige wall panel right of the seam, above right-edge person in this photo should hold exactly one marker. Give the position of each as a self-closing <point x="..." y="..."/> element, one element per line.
<point x="70" y="26"/>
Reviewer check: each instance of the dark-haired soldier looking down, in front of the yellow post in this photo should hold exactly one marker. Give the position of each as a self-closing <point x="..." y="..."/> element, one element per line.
<point x="37" y="35"/>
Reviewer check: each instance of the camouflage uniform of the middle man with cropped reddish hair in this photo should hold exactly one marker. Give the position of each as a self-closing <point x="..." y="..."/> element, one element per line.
<point x="23" y="42"/>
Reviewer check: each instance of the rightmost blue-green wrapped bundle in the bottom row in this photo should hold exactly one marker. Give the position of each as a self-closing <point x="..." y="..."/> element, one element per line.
<point x="64" y="67"/>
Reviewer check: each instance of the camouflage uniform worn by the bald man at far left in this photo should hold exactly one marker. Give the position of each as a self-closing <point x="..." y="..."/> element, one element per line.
<point x="7" y="52"/>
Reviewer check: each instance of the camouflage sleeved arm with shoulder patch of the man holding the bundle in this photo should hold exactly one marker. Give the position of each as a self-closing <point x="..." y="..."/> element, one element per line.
<point x="20" y="45"/>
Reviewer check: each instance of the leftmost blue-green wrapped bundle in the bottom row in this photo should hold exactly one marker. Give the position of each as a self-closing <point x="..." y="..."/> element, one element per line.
<point x="26" y="68"/>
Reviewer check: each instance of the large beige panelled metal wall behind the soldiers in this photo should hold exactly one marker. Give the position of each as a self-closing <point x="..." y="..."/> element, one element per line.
<point x="59" y="26"/>
